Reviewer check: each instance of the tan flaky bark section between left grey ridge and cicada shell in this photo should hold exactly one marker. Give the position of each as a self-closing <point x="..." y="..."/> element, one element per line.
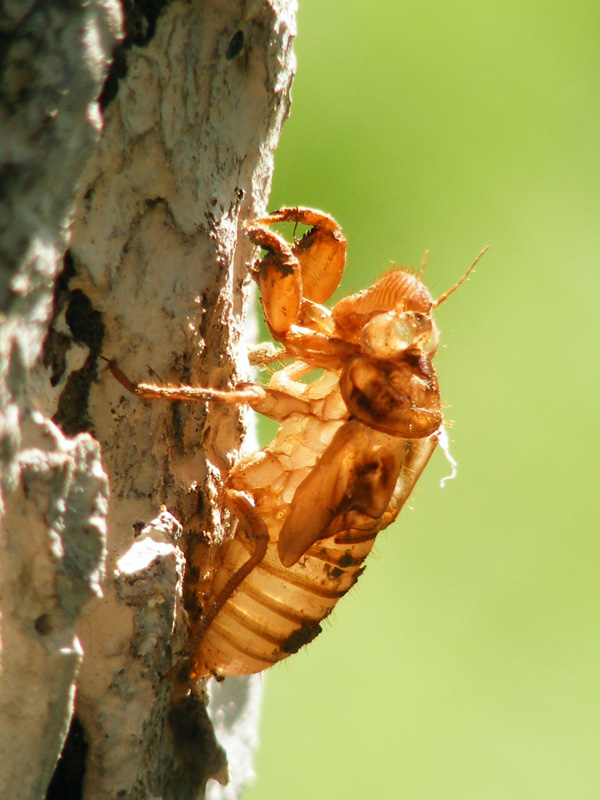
<point x="157" y="279"/>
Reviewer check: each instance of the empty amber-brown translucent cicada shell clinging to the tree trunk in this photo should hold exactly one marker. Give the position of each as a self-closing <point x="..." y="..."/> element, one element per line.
<point x="351" y="445"/>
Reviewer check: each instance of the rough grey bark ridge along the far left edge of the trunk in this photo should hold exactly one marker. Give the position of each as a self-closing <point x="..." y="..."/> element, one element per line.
<point x="54" y="489"/>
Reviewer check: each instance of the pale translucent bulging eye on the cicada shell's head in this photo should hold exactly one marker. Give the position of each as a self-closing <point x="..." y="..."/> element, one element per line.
<point x="389" y="335"/>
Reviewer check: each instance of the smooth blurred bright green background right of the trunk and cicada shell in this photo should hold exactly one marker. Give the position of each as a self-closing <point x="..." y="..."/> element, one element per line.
<point x="466" y="663"/>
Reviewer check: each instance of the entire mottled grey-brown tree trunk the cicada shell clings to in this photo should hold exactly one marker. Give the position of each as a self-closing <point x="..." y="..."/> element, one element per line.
<point x="147" y="199"/>
